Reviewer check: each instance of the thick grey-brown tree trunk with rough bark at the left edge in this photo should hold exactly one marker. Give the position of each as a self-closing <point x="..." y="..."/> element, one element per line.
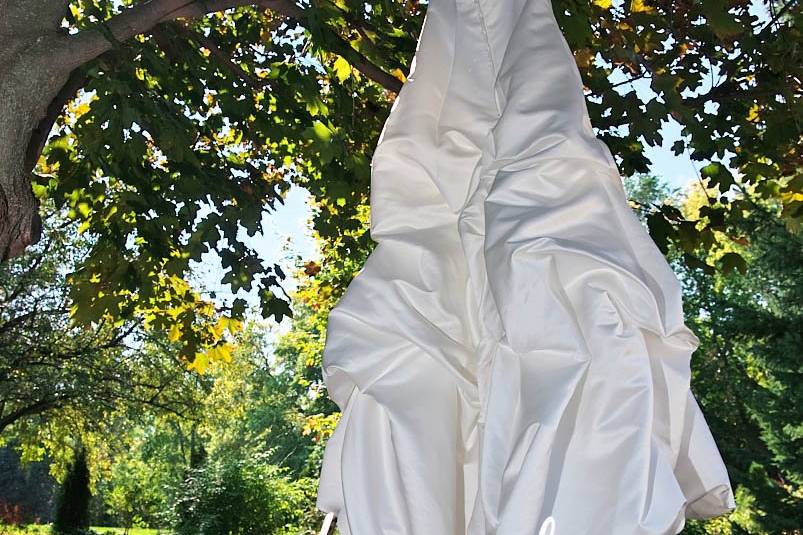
<point x="30" y="78"/>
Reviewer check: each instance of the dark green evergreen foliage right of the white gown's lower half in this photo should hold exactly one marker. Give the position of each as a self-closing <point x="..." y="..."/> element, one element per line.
<point x="748" y="374"/>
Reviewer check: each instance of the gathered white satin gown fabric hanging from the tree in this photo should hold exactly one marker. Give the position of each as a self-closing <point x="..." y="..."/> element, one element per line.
<point x="514" y="348"/>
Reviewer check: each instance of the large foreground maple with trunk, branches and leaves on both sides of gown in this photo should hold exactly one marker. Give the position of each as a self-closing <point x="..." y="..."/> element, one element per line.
<point x="191" y="120"/>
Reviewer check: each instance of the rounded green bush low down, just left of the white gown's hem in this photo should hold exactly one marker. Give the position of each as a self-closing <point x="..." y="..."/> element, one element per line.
<point x="241" y="497"/>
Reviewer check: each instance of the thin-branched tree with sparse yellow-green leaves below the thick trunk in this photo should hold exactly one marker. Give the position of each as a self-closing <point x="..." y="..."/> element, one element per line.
<point x="59" y="381"/>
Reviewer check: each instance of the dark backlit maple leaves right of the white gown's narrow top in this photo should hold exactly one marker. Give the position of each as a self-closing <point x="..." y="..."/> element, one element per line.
<point x="725" y="82"/>
